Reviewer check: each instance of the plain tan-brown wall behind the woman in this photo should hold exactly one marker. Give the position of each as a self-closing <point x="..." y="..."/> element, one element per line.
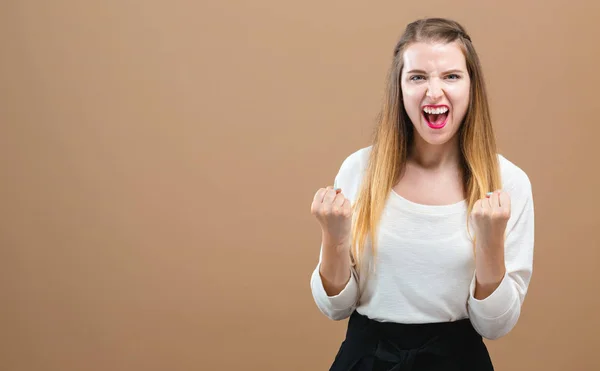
<point x="158" y="161"/>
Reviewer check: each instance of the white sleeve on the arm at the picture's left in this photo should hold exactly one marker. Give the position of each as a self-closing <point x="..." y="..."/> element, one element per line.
<point x="342" y="305"/>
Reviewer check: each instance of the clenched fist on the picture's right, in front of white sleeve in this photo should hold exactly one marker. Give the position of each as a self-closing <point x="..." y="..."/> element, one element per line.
<point x="490" y="216"/>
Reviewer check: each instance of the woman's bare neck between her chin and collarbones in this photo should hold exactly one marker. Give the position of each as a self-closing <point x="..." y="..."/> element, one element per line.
<point x="435" y="157"/>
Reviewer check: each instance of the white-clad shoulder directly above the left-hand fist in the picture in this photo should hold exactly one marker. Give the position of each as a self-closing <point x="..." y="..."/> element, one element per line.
<point x="351" y="172"/>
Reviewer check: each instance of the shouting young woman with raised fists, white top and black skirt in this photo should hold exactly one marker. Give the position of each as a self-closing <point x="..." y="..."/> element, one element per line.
<point x="427" y="236"/>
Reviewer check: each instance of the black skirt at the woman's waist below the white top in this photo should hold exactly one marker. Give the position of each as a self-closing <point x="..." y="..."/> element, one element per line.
<point x="377" y="346"/>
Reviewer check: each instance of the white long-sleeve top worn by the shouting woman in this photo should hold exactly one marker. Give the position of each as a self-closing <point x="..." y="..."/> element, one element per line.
<point x="425" y="266"/>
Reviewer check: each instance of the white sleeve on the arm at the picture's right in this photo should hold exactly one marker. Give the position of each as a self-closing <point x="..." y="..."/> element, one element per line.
<point x="496" y="315"/>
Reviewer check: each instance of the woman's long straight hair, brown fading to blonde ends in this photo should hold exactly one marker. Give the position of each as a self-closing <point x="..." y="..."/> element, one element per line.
<point x="394" y="133"/>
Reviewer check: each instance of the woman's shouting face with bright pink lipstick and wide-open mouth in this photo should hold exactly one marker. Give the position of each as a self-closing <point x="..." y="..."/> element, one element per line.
<point x="435" y="89"/>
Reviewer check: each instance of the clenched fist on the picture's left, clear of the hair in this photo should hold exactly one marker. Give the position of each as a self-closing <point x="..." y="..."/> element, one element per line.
<point x="334" y="213"/>
